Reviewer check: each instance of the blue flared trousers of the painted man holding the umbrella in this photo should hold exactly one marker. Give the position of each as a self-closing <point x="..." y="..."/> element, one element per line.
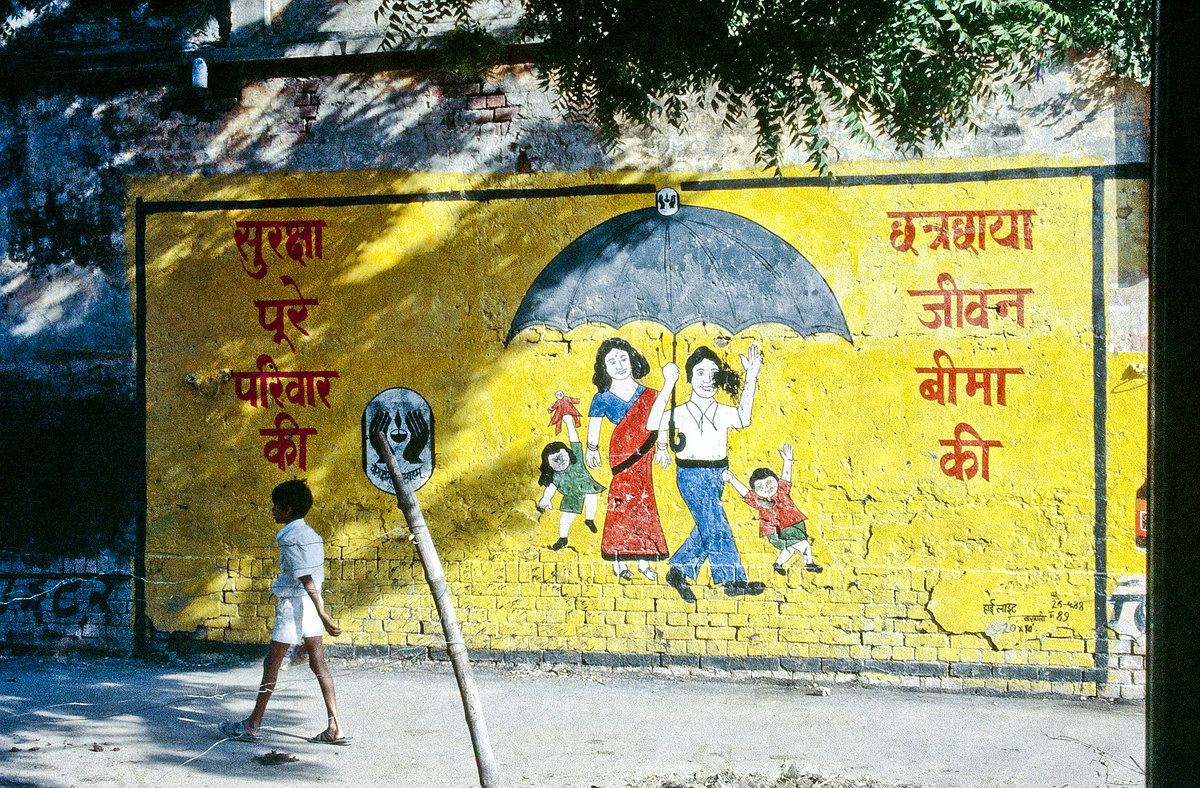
<point x="712" y="539"/>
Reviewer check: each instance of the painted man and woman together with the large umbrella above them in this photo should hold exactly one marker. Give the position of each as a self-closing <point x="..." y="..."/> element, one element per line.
<point x="676" y="266"/>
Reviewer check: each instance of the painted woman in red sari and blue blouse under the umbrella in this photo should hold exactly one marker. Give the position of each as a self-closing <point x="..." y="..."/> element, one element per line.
<point x="632" y="526"/>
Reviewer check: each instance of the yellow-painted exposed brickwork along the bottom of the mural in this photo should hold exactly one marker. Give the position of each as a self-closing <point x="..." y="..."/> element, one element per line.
<point x="572" y="615"/>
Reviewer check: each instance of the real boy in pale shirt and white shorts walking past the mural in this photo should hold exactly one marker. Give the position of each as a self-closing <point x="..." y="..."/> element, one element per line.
<point x="299" y="613"/>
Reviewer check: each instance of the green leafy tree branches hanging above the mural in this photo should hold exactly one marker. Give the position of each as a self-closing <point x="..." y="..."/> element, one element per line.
<point x="908" y="71"/>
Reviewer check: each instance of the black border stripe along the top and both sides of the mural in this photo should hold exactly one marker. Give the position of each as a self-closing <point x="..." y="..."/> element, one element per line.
<point x="1100" y="175"/>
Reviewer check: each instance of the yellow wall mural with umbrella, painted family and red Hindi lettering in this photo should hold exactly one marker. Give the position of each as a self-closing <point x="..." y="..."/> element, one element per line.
<point x="662" y="429"/>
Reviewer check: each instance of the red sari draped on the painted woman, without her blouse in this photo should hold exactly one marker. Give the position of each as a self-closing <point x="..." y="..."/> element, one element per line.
<point x="632" y="525"/>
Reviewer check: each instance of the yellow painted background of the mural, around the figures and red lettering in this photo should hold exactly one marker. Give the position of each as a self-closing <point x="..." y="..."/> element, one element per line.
<point x="919" y="566"/>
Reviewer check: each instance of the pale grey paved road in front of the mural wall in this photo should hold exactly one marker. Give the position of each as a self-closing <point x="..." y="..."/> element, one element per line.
<point x="157" y="726"/>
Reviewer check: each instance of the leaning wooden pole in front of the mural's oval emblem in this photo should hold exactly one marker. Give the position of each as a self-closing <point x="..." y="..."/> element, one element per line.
<point x="489" y="775"/>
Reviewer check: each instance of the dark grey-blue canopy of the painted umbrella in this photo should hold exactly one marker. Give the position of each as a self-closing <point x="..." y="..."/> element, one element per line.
<point x="679" y="267"/>
